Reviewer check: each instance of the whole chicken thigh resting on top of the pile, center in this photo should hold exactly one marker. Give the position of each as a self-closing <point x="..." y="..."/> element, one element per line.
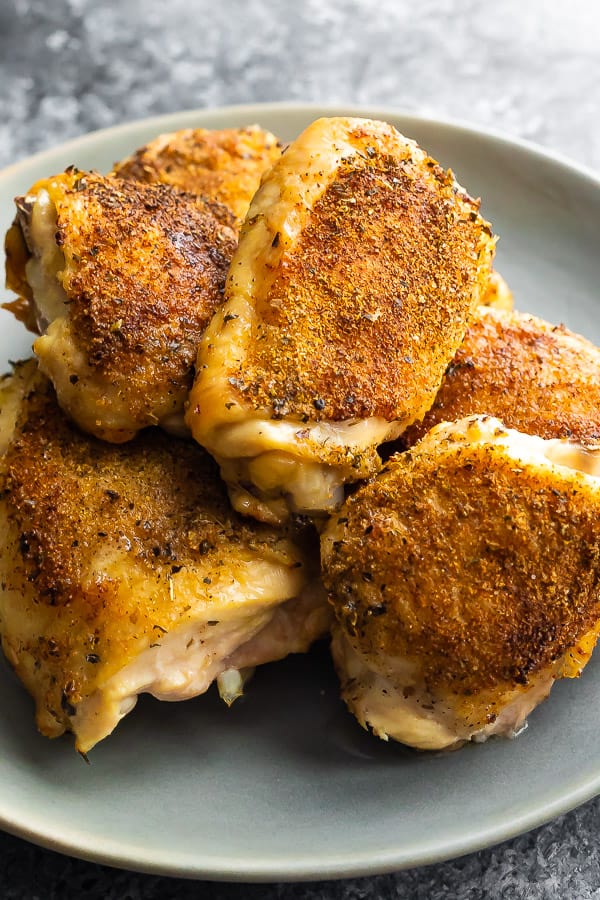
<point x="357" y="269"/>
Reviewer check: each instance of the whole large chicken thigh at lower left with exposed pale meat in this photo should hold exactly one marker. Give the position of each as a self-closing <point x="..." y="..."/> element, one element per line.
<point x="123" y="569"/>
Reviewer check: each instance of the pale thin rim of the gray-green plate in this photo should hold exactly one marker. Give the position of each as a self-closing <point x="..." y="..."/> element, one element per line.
<point x="339" y="866"/>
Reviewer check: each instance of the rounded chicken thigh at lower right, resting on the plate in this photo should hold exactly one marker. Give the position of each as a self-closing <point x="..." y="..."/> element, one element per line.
<point x="465" y="579"/>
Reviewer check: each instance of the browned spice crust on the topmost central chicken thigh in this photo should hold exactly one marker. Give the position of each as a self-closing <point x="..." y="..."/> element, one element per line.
<point x="369" y="304"/>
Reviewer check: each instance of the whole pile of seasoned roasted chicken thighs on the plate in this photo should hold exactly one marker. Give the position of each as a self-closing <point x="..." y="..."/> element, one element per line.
<point x="192" y="480"/>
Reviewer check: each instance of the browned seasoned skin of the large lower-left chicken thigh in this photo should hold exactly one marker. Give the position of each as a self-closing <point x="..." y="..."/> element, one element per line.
<point x="156" y="504"/>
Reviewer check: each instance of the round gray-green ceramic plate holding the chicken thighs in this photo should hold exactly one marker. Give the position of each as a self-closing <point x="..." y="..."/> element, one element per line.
<point x="285" y="785"/>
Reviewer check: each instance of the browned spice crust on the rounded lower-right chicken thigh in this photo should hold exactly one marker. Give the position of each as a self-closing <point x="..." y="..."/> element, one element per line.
<point x="482" y="572"/>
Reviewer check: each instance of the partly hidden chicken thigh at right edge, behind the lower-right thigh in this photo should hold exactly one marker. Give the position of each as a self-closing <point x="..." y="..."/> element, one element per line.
<point x="536" y="377"/>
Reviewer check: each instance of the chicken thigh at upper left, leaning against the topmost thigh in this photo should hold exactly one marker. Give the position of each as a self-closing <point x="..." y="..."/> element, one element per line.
<point x="124" y="278"/>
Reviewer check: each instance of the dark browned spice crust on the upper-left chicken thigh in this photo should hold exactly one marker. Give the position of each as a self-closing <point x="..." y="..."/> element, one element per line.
<point x="145" y="269"/>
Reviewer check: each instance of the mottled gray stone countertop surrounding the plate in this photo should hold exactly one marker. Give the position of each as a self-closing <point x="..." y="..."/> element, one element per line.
<point x="528" y="68"/>
